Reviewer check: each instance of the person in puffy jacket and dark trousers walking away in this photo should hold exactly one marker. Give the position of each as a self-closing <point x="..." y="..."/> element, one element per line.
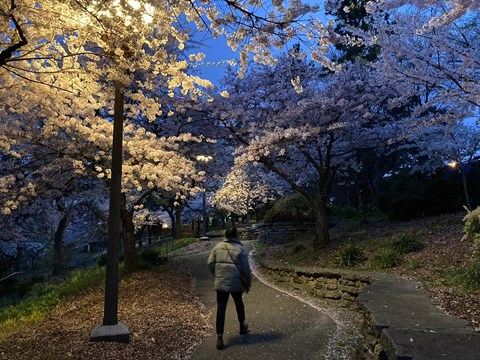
<point x="228" y="262"/>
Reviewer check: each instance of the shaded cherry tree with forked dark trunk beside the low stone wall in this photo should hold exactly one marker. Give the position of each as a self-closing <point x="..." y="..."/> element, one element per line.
<point x="304" y="125"/>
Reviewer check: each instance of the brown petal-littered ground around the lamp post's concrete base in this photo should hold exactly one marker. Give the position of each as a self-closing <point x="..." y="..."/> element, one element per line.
<point x="165" y="318"/>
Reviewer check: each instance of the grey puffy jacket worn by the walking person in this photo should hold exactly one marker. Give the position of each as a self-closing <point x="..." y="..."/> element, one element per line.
<point x="227" y="261"/>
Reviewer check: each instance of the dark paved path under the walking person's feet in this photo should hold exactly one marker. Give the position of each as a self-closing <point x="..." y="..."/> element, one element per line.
<point x="281" y="326"/>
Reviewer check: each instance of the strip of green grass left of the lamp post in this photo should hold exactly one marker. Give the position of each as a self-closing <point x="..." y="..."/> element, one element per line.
<point x="45" y="297"/>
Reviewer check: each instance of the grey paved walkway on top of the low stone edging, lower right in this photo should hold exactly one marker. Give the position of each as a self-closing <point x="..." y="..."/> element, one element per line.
<point x="403" y="323"/>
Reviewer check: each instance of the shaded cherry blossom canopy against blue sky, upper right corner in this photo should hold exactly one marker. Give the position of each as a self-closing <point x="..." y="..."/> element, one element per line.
<point x="428" y="53"/>
